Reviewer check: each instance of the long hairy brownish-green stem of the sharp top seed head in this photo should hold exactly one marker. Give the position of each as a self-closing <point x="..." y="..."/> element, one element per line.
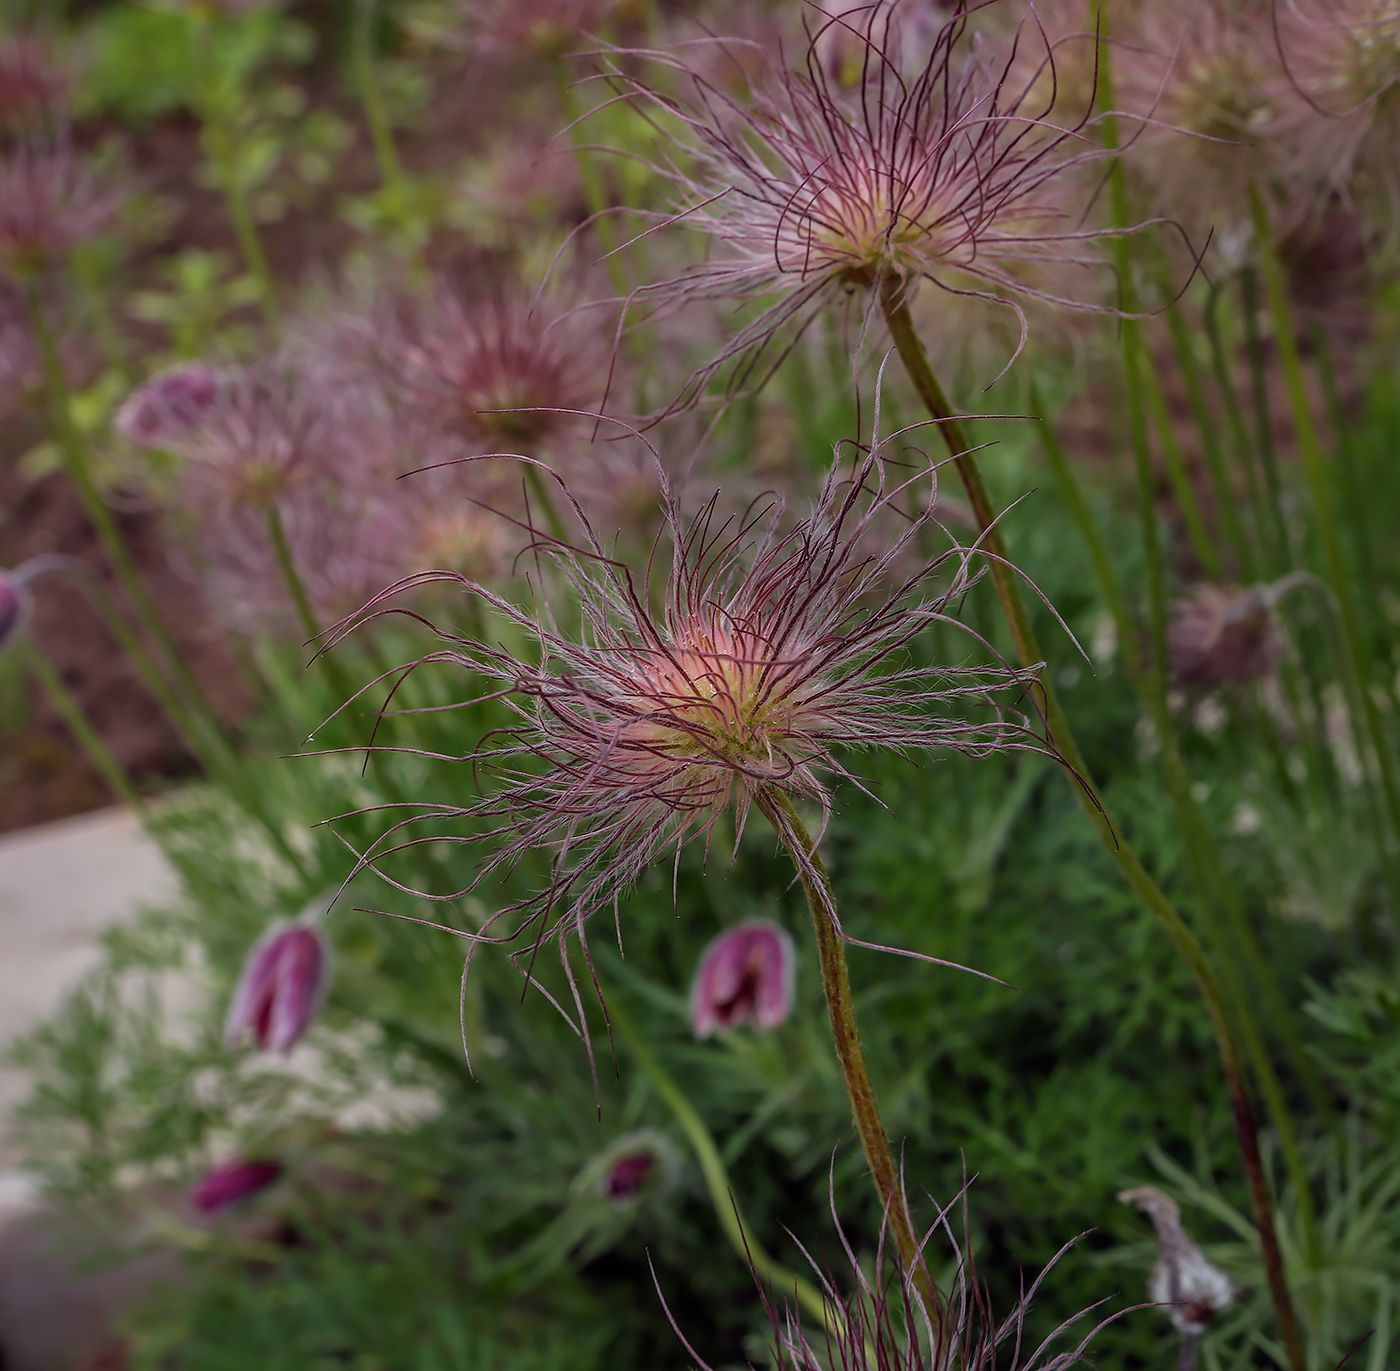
<point x="1188" y="946"/>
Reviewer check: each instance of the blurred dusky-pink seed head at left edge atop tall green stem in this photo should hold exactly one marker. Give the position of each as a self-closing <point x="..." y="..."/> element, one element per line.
<point x="51" y="202"/>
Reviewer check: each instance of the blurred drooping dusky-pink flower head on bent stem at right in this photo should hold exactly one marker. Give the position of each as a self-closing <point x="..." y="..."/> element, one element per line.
<point x="1220" y="635"/>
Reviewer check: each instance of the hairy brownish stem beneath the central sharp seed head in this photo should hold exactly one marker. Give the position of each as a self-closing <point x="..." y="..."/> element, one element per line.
<point x="836" y="985"/>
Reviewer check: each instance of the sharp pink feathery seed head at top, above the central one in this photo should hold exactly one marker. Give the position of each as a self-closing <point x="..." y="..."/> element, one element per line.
<point x="947" y="176"/>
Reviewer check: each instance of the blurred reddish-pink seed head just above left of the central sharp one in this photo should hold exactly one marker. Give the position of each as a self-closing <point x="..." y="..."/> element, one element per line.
<point x="488" y="372"/>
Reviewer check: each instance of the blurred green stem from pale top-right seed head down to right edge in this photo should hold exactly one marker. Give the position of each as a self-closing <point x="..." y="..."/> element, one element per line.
<point x="1354" y="662"/>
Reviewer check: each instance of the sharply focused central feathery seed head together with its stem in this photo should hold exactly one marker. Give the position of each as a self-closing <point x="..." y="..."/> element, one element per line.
<point x="779" y="648"/>
